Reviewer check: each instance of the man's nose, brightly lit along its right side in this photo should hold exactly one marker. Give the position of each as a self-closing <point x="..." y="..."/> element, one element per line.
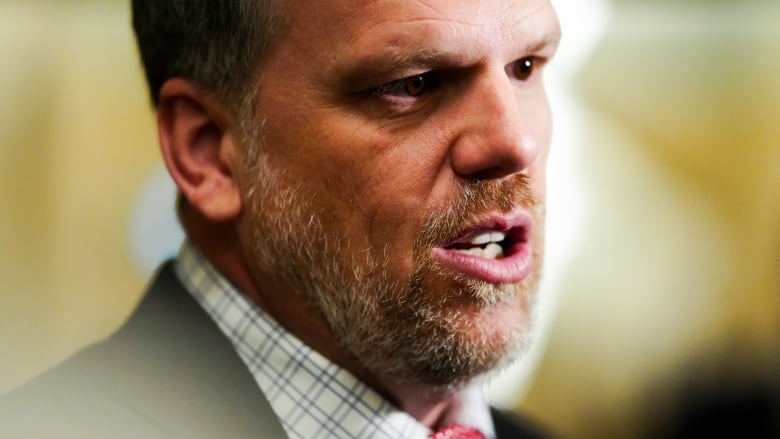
<point x="498" y="131"/>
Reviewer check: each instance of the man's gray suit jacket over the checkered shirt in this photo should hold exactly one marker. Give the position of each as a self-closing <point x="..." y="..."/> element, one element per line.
<point x="168" y="372"/>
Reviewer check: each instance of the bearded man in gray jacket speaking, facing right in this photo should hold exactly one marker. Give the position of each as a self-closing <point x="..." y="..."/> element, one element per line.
<point x="361" y="184"/>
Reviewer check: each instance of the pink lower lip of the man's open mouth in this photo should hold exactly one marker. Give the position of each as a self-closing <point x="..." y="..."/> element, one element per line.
<point x="510" y="269"/>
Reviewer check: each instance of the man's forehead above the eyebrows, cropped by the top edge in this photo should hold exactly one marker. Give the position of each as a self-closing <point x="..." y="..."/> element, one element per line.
<point x="364" y="26"/>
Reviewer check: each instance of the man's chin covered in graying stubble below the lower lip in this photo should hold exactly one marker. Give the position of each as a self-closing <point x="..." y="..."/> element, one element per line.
<point x="456" y="331"/>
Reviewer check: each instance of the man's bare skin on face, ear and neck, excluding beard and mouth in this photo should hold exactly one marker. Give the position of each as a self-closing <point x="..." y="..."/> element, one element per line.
<point x="372" y="161"/>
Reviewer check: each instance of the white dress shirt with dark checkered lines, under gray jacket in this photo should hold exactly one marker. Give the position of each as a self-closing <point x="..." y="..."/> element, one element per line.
<point x="312" y="396"/>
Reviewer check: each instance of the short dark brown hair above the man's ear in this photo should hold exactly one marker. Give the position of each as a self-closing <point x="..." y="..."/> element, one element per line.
<point x="216" y="44"/>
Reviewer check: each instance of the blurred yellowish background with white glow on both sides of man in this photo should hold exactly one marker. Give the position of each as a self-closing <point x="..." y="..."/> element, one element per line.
<point x="661" y="304"/>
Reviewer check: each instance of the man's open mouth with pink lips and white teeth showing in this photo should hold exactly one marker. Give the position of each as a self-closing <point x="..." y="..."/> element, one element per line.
<point x="497" y="250"/>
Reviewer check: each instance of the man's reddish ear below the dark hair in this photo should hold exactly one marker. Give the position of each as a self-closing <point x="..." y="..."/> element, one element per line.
<point x="199" y="148"/>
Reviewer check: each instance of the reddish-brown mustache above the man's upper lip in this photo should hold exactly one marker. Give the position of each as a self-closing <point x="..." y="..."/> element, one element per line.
<point x="473" y="200"/>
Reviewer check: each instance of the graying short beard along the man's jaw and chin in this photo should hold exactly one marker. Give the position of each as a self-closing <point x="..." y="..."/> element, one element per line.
<point x="403" y="331"/>
